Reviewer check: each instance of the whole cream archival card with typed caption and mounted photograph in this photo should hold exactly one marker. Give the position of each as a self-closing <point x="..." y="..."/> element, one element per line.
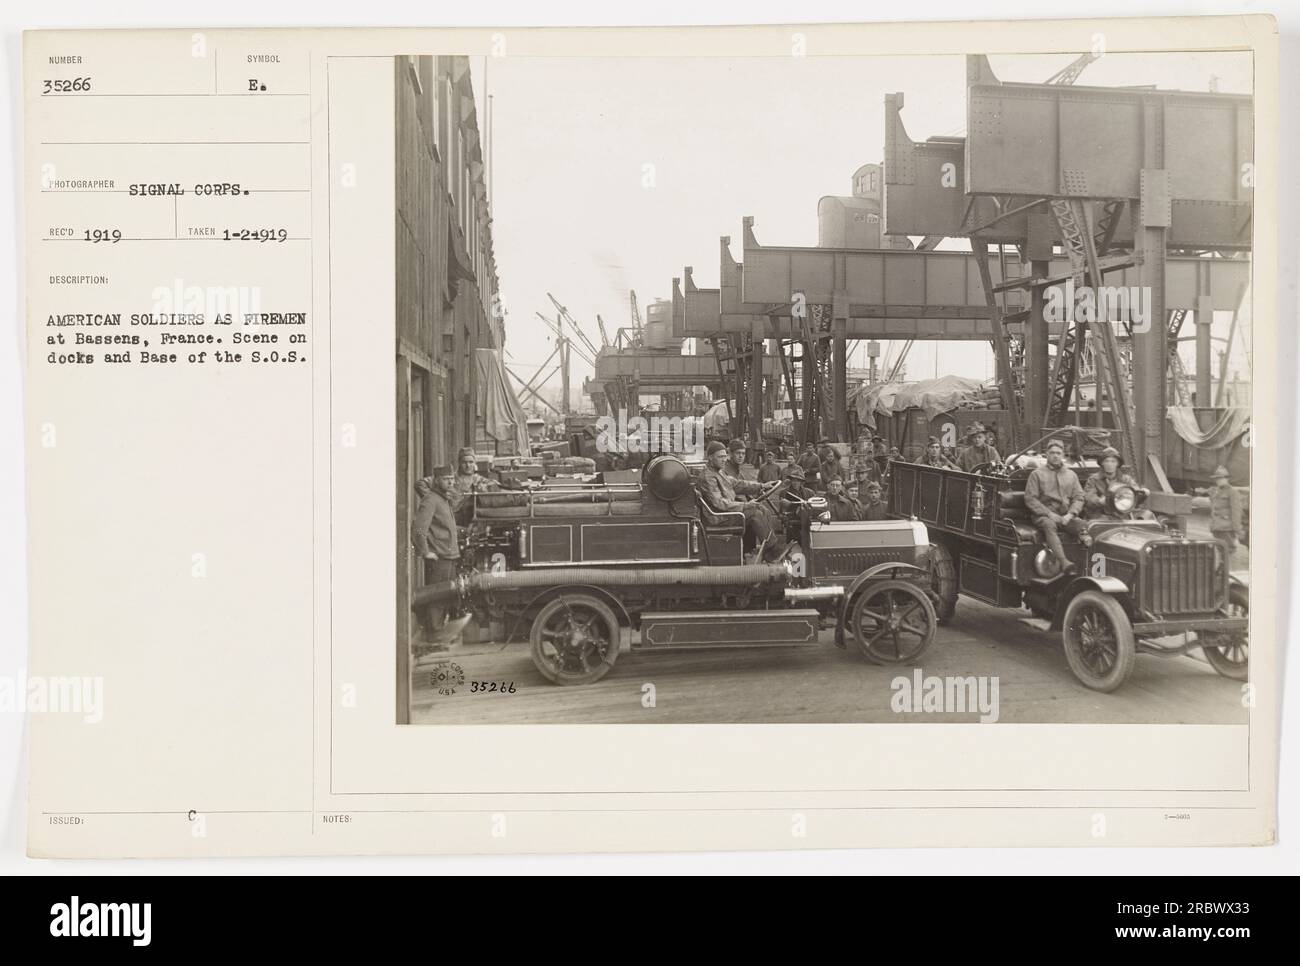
<point x="517" y="440"/>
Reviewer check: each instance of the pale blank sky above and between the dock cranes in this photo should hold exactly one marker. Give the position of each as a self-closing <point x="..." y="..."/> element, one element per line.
<point x="726" y="138"/>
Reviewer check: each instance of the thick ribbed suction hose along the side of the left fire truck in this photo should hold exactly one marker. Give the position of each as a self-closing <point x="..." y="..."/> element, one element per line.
<point x="480" y="582"/>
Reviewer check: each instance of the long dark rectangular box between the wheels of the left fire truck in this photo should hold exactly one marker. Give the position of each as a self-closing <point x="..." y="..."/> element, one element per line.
<point x="675" y="630"/>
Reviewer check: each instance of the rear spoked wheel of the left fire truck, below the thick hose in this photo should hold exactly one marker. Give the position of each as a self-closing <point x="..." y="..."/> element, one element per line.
<point x="575" y="640"/>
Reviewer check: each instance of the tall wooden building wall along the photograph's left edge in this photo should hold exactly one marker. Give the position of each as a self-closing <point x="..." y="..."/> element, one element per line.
<point x="450" y="328"/>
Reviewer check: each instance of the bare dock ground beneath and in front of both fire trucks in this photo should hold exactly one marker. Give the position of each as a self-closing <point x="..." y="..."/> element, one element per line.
<point x="822" y="683"/>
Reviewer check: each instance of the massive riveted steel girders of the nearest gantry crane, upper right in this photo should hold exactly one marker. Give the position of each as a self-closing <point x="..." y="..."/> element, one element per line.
<point x="1033" y="142"/>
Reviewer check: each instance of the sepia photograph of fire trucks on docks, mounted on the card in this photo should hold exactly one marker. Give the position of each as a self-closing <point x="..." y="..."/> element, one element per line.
<point x="788" y="389"/>
